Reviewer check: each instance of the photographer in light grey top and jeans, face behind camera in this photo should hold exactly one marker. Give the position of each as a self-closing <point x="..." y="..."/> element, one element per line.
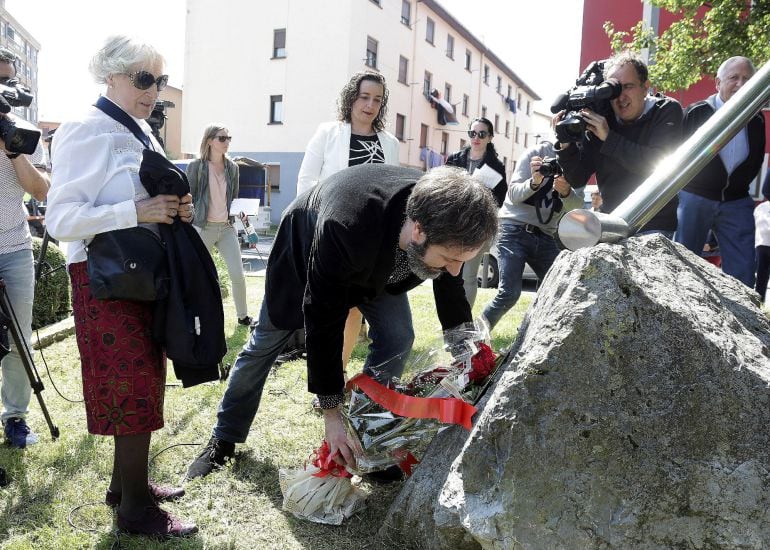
<point x="537" y="197"/>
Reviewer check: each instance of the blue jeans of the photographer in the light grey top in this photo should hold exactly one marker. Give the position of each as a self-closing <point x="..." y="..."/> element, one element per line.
<point x="516" y="247"/>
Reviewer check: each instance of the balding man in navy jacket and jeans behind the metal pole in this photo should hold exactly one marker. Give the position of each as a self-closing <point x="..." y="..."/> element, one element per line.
<point x="718" y="197"/>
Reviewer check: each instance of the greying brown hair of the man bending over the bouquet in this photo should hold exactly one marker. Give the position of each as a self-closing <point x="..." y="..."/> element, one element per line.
<point x="453" y="208"/>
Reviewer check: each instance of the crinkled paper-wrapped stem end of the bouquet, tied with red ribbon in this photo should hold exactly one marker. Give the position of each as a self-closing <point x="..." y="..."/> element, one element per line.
<point x="323" y="492"/>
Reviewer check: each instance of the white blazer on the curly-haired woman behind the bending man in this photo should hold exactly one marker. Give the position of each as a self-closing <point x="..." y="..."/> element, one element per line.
<point x="328" y="152"/>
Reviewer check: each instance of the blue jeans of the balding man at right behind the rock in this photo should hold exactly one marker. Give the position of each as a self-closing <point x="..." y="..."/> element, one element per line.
<point x="732" y="223"/>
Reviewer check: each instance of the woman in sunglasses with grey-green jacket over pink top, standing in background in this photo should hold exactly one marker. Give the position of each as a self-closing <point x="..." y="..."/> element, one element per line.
<point x="214" y="184"/>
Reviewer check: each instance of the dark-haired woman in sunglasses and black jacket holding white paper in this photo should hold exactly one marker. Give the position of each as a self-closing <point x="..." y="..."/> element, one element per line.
<point x="473" y="157"/>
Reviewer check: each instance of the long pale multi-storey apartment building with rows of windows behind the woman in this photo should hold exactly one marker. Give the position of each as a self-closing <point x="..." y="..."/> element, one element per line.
<point x="271" y="72"/>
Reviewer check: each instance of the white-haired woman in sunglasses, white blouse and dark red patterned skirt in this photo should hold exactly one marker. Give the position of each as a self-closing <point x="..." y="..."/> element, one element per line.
<point x="96" y="188"/>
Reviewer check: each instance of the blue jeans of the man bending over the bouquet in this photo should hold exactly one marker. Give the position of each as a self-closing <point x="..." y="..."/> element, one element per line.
<point x="390" y="322"/>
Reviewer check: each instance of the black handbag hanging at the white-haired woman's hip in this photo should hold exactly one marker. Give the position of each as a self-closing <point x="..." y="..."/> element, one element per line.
<point x="128" y="264"/>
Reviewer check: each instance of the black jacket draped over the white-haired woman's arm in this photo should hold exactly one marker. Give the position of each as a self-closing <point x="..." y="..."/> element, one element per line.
<point x="190" y="322"/>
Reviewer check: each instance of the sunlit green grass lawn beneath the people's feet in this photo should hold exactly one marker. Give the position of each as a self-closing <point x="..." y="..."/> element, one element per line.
<point x="55" y="499"/>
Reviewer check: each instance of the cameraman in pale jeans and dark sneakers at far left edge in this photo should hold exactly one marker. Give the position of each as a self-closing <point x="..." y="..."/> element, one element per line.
<point x="18" y="174"/>
